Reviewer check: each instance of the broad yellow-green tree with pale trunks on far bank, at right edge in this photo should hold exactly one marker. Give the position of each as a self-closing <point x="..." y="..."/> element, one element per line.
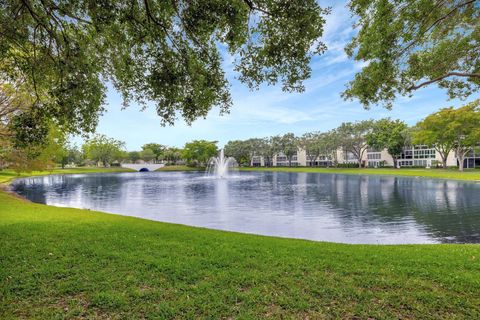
<point x="451" y="129"/>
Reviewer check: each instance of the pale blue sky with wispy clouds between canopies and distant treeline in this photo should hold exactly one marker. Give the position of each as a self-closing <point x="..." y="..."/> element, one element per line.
<point x="269" y="111"/>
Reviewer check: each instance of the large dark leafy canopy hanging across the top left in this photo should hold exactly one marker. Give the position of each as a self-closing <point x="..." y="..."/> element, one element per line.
<point x="168" y="52"/>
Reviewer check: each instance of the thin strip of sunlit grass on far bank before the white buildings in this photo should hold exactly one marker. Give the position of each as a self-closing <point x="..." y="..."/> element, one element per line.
<point x="425" y="173"/>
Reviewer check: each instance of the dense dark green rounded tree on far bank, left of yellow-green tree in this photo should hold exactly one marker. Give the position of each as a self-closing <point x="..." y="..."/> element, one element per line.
<point x="392" y="135"/>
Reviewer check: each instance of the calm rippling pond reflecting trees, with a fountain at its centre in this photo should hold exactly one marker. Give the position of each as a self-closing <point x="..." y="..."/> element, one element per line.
<point x="325" y="207"/>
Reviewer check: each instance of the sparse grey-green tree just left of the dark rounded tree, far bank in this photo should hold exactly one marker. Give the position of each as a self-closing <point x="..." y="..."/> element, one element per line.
<point x="353" y="137"/>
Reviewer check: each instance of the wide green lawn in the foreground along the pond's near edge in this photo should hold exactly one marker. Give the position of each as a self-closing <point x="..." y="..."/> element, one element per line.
<point x="62" y="263"/>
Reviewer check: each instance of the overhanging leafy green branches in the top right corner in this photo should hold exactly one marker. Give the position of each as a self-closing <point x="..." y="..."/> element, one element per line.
<point x="406" y="45"/>
